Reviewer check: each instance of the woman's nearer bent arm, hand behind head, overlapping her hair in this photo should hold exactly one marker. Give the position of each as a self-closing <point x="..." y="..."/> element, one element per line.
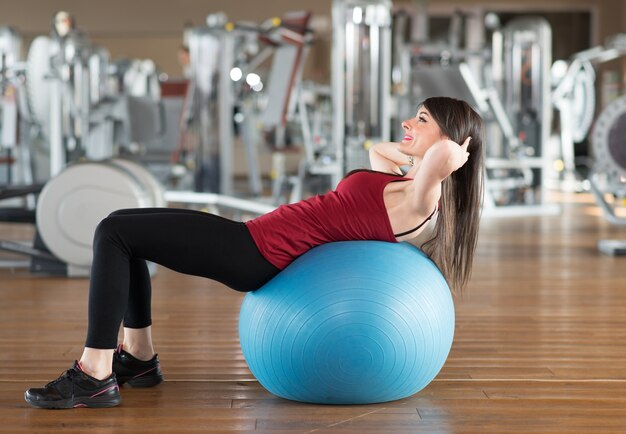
<point x="440" y="160"/>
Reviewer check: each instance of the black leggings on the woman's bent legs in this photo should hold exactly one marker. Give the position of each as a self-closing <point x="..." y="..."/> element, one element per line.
<point x="190" y="242"/>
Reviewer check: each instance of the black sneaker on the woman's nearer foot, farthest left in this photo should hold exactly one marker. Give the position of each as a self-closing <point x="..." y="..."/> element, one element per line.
<point x="74" y="388"/>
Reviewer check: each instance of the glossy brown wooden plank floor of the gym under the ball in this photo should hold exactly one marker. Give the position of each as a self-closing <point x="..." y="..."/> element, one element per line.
<point x="540" y="347"/>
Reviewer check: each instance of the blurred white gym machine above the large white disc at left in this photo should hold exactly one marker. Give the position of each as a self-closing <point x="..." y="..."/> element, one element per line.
<point x="62" y="90"/>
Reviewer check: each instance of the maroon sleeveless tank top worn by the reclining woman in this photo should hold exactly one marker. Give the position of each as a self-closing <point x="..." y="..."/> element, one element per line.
<point x="354" y="211"/>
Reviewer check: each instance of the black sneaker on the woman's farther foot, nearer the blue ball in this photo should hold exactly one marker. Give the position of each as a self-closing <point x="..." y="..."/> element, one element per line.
<point x="135" y="372"/>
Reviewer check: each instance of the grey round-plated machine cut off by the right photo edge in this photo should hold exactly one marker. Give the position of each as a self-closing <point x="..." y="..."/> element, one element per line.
<point x="608" y="175"/>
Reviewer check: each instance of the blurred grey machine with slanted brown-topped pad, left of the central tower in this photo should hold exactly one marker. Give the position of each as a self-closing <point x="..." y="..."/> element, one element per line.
<point x="227" y="95"/>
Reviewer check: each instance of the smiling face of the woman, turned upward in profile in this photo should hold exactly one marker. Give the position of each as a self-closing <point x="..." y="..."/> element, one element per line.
<point x="420" y="133"/>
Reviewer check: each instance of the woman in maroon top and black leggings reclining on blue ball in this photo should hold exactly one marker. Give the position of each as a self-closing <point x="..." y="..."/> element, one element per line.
<point x="380" y="204"/>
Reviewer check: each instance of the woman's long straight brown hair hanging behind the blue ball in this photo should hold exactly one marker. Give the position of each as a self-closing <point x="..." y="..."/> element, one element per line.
<point x="456" y="230"/>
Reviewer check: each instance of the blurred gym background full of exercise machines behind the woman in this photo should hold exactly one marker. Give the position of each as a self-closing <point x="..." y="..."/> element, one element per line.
<point x="239" y="106"/>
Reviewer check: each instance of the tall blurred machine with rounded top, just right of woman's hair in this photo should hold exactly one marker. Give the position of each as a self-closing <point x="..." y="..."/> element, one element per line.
<point x="517" y="171"/>
